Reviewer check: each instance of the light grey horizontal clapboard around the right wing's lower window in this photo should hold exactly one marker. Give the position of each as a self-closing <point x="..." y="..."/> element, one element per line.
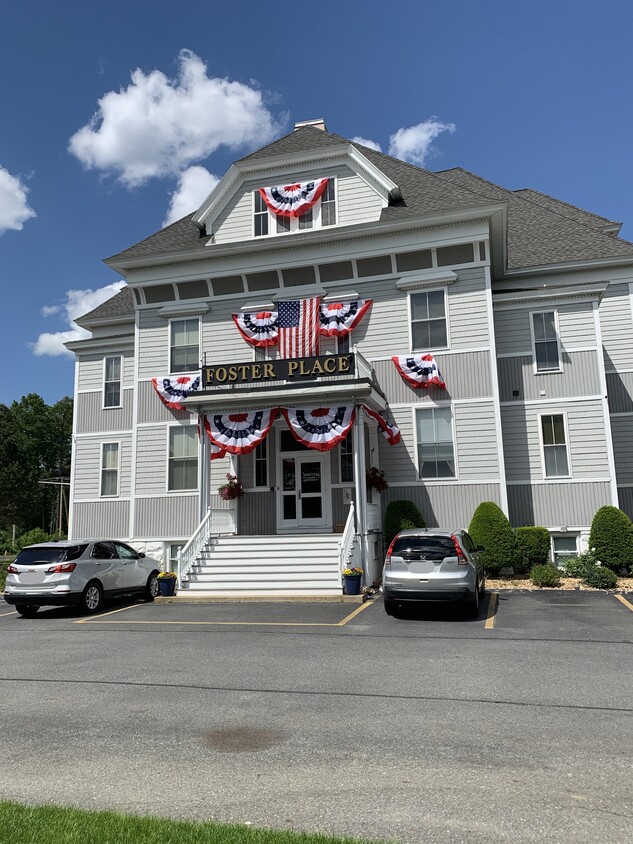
<point x="587" y="441"/>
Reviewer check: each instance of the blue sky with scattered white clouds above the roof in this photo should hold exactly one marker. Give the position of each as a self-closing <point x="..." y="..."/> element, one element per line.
<point x="532" y="94"/>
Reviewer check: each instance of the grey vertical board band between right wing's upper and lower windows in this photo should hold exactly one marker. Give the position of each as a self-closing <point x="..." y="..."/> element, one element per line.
<point x="580" y="377"/>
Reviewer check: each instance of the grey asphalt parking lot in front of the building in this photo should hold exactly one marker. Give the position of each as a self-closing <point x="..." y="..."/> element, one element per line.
<point x="333" y="717"/>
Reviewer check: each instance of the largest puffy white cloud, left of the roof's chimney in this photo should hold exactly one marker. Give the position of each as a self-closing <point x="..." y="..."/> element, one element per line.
<point x="157" y="126"/>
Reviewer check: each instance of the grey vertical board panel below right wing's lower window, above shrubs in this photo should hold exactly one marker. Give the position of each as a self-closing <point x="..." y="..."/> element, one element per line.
<point x="553" y="505"/>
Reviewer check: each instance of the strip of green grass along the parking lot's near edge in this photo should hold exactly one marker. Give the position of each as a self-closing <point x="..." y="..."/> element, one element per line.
<point x="56" y="825"/>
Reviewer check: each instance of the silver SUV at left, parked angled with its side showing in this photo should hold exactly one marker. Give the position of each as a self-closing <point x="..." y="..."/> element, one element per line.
<point x="79" y="573"/>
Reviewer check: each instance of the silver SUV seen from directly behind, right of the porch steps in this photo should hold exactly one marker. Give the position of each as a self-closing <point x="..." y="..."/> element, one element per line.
<point x="433" y="565"/>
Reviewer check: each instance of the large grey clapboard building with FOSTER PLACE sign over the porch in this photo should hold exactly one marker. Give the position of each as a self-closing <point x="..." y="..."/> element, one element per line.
<point x="524" y="302"/>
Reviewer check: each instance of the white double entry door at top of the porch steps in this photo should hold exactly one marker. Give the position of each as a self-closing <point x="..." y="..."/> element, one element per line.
<point x="303" y="494"/>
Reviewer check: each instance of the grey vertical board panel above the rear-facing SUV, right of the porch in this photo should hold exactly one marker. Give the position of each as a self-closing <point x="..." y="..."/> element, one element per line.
<point x="449" y="507"/>
